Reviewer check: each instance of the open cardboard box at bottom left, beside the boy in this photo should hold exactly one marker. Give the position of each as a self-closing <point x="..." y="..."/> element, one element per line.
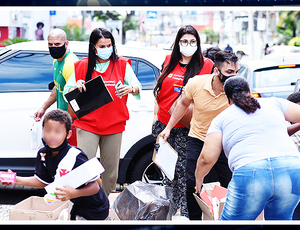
<point x="34" y="208"/>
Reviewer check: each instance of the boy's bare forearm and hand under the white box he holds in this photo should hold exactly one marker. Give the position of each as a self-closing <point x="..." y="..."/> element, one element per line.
<point x="67" y="192"/>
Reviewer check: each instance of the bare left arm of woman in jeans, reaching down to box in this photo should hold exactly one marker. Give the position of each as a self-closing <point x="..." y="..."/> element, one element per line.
<point x="209" y="155"/>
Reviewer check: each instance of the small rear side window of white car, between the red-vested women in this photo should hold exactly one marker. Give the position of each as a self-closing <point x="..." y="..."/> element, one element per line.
<point x="146" y="75"/>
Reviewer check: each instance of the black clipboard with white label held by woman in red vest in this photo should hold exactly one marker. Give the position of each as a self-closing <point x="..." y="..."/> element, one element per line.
<point x="95" y="96"/>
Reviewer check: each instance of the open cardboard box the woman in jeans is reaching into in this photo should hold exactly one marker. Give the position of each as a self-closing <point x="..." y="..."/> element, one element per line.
<point x="213" y="201"/>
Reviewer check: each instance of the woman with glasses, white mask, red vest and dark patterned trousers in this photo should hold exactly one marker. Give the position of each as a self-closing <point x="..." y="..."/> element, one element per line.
<point x="185" y="62"/>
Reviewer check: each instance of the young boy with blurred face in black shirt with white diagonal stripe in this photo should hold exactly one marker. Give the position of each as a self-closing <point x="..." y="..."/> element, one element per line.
<point x="58" y="158"/>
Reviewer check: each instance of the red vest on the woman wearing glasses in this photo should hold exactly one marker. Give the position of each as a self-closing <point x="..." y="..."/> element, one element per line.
<point x="171" y="87"/>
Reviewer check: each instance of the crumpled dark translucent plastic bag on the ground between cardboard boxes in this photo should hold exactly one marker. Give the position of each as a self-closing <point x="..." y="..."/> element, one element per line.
<point x="142" y="201"/>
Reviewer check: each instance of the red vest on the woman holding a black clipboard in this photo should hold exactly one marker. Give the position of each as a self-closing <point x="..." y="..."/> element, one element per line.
<point x="110" y="118"/>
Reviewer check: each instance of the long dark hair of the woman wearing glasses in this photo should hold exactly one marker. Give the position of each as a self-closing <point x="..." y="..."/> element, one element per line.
<point x="193" y="68"/>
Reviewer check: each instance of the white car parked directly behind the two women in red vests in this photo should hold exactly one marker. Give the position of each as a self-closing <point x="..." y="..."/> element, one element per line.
<point x="25" y="83"/>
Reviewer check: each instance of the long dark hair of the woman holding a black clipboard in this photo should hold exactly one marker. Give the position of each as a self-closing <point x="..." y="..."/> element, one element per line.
<point x="94" y="38"/>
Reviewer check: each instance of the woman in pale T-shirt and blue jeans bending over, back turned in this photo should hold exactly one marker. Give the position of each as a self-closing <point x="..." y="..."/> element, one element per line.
<point x="263" y="158"/>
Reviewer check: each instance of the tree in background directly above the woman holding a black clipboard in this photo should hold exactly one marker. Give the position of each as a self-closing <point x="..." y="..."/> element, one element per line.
<point x="128" y="22"/>
